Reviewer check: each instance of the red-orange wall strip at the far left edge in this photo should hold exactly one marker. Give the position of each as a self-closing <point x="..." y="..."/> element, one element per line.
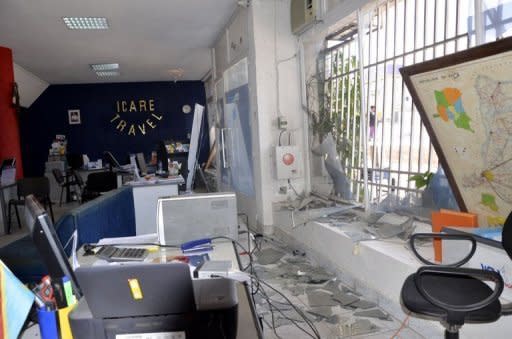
<point x="9" y="129"/>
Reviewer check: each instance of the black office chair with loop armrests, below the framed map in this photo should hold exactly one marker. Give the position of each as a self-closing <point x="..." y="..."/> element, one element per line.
<point x="455" y="295"/>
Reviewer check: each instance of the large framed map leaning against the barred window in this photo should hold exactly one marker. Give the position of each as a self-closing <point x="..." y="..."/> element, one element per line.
<point x="465" y="102"/>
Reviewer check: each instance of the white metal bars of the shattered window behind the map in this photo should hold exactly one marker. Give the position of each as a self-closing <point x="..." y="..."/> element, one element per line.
<point x="396" y="33"/>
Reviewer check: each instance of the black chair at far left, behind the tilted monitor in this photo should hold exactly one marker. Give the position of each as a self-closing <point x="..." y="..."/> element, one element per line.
<point x="39" y="187"/>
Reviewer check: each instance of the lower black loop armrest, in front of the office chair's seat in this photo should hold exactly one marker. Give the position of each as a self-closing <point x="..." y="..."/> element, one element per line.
<point x="463" y="272"/>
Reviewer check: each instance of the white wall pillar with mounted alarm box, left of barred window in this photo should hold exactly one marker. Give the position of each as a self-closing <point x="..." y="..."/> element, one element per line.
<point x="273" y="44"/>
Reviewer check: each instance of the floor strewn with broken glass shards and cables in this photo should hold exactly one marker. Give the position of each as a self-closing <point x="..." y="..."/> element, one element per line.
<point x="333" y="308"/>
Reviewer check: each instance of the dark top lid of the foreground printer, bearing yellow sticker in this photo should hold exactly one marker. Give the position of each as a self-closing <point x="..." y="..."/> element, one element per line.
<point x="135" y="290"/>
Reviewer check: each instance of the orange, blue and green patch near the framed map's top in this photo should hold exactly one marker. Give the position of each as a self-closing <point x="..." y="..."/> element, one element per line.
<point x="450" y="108"/>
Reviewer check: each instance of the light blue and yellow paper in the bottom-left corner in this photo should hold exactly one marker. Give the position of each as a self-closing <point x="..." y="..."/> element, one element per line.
<point x="16" y="302"/>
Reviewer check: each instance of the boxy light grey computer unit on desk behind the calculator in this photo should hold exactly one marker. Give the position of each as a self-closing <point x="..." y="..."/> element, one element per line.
<point x="196" y="216"/>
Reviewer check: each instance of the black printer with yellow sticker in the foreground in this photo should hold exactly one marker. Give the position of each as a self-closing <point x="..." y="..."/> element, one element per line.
<point x="153" y="301"/>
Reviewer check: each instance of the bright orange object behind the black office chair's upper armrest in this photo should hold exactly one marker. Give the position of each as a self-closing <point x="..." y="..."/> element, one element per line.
<point x="445" y="218"/>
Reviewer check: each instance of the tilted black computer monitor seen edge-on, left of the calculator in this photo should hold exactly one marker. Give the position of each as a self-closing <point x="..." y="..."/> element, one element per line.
<point x="47" y="243"/>
